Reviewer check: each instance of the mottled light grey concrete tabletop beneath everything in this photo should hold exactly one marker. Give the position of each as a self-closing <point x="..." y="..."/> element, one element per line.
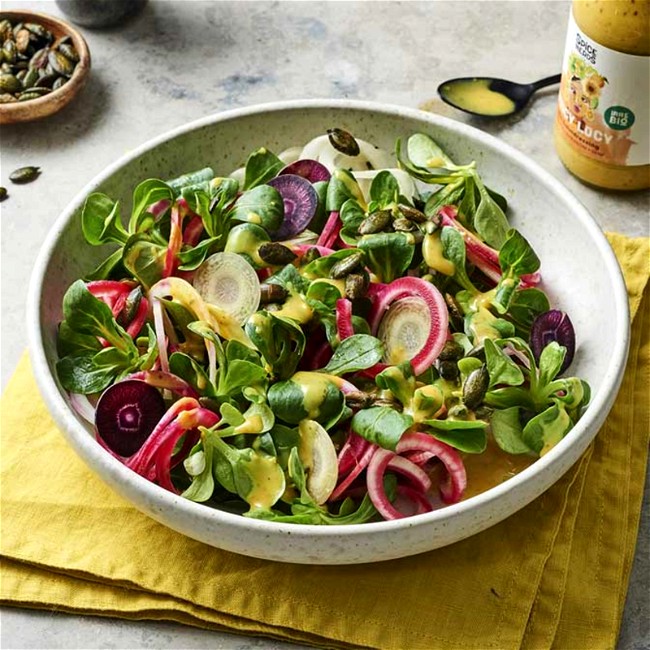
<point x="177" y="61"/>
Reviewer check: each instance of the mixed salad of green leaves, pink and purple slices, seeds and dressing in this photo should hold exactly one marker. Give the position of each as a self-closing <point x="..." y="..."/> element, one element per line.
<point x="332" y="334"/>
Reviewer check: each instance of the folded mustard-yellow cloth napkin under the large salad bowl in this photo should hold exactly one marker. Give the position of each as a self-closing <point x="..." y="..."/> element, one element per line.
<point x="554" y="575"/>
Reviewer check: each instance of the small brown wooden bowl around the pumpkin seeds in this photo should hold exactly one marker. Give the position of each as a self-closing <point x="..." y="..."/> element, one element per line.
<point x="35" y="109"/>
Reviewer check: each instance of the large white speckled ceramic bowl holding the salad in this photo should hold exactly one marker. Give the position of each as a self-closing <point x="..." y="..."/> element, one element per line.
<point x="580" y="273"/>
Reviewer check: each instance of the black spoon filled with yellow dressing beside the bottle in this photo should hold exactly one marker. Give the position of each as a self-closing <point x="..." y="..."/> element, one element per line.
<point x="489" y="97"/>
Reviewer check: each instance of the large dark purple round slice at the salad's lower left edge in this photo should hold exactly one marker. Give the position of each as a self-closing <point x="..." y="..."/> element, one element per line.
<point x="127" y="413"/>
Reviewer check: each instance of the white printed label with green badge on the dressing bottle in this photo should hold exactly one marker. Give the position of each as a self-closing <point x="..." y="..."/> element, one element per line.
<point x="603" y="106"/>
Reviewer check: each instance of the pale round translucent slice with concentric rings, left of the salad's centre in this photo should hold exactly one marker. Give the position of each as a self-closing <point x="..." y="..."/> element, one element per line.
<point x="229" y="282"/>
